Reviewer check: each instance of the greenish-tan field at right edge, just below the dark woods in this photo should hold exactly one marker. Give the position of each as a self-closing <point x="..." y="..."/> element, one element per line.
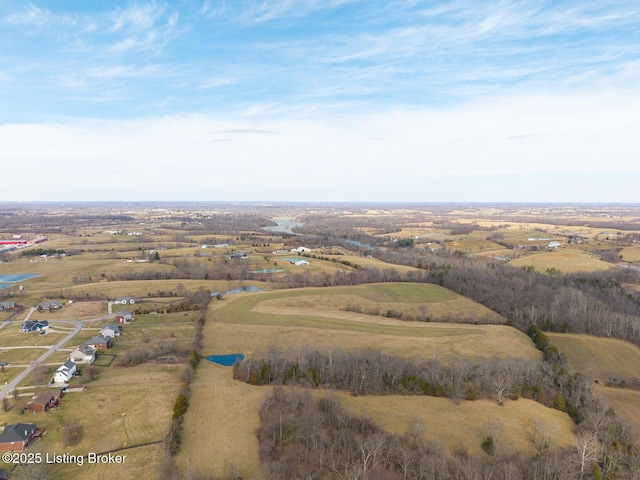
<point x="597" y="357"/>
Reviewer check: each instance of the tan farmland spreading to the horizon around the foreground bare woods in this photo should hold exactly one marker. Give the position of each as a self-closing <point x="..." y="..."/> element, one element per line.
<point x="406" y="282"/>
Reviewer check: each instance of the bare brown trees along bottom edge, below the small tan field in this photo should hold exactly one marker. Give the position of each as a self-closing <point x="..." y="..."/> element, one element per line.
<point x="300" y="437"/>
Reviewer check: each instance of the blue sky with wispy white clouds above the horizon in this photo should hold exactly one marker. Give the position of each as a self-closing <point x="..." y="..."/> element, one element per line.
<point x="320" y="101"/>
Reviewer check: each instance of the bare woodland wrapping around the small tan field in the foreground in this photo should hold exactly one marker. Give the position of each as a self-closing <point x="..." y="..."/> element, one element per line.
<point x="605" y="444"/>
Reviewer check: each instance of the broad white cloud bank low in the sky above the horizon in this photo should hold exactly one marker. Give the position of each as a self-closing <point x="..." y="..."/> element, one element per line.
<point x="381" y="156"/>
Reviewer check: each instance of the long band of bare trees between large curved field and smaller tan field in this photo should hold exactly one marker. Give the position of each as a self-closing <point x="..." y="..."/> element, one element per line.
<point x="372" y="372"/>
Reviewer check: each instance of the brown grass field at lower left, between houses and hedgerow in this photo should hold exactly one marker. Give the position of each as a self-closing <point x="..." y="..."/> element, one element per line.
<point x="121" y="407"/>
